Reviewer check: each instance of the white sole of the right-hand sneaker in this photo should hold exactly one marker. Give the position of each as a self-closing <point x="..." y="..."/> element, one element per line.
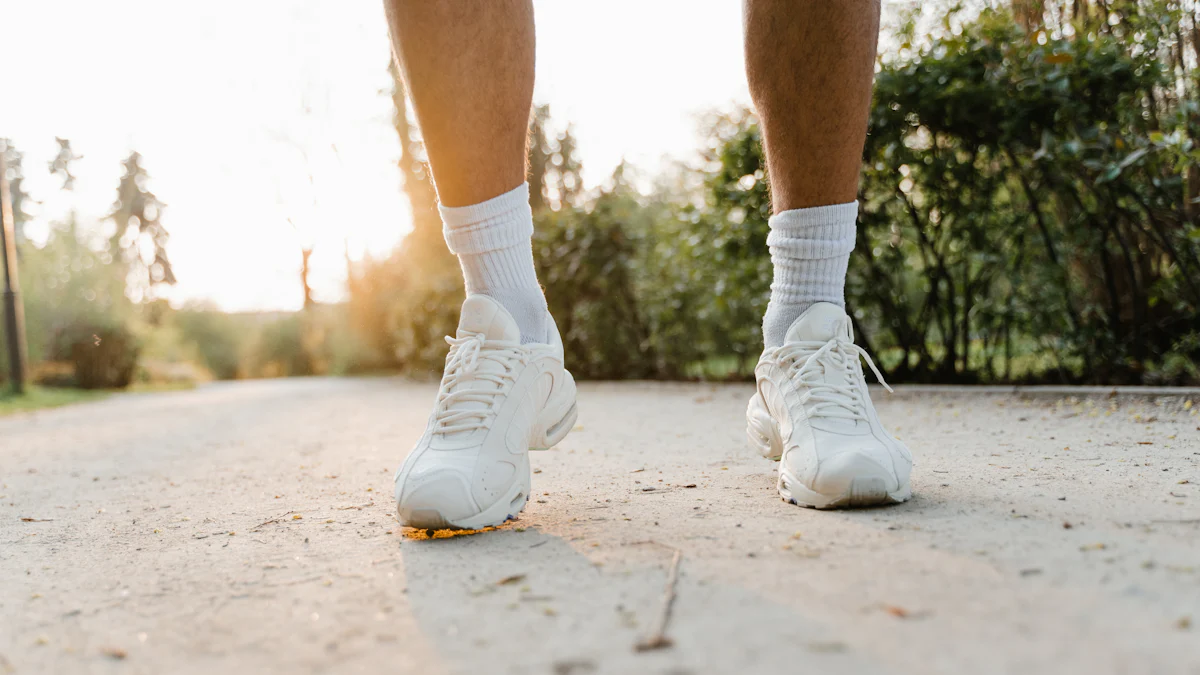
<point x="764" y="435"/>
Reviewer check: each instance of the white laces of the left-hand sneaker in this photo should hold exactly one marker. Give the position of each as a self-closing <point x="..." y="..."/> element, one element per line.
<point x="463" y="368"/>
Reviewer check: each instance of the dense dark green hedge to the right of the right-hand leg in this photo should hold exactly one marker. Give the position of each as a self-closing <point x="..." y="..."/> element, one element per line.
<point x="1022" y="189"/>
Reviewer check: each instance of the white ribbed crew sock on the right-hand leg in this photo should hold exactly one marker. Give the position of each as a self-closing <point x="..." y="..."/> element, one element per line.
<point x="809" y="250"/>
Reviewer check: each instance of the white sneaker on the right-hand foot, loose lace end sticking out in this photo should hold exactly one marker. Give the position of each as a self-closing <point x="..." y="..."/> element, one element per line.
<point x="813" y="414"/>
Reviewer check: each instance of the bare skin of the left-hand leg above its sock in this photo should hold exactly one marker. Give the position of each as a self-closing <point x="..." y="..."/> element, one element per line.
<point x="470" y="69"/>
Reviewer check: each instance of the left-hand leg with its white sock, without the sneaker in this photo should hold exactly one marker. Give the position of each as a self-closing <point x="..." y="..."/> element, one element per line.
<point x="470" y="68"/>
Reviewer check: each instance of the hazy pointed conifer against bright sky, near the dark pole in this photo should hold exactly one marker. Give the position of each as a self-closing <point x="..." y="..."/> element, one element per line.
<point x="141" y="237"/>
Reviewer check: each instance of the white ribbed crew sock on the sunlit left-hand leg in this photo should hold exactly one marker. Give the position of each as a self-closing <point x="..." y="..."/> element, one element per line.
<point x="495" y="248"/>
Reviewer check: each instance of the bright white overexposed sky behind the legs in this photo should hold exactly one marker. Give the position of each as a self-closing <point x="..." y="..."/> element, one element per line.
<point x="226" y="99"/>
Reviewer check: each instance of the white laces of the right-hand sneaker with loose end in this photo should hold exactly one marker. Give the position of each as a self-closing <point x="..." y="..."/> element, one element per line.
<point x="807" y="361"/>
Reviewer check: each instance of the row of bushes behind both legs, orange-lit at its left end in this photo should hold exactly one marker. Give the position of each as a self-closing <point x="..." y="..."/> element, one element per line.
<point x="1028" y="214"/>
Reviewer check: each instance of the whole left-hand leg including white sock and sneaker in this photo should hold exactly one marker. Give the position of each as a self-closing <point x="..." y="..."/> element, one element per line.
<point x="470" y="67"/>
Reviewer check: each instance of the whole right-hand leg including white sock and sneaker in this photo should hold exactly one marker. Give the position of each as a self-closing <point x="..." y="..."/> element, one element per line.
<point x="811" y="65"/>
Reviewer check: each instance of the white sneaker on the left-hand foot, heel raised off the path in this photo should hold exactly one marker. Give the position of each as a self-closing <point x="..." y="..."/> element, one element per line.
<point x="499" y="401"/>
